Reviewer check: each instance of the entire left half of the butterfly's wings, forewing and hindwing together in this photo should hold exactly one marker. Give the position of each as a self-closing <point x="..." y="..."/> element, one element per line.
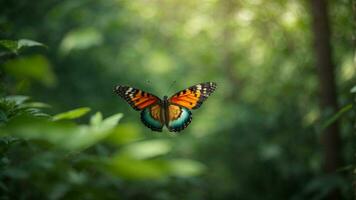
<point x="148" y="103"/>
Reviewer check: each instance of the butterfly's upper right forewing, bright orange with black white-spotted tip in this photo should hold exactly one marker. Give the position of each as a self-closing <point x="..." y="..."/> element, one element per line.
<point x="194" y="96"/>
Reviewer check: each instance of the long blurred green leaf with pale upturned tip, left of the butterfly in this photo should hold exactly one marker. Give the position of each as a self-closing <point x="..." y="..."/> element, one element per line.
<point x="62" y="134"/>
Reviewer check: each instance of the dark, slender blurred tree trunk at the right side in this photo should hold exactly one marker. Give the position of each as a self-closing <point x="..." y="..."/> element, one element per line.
<point x="328" y="99"/>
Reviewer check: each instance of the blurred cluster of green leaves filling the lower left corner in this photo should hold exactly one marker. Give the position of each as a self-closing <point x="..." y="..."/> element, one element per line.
<point x="51" y="157"/>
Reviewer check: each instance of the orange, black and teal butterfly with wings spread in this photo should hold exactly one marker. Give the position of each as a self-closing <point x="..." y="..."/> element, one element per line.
<point x="174" y="112"/>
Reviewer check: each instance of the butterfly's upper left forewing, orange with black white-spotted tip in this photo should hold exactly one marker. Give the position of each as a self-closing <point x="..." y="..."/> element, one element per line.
<point x="137" y="99"/>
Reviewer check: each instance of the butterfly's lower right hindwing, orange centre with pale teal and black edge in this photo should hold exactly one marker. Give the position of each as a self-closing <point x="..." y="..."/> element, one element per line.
<point x="179" y="118"/>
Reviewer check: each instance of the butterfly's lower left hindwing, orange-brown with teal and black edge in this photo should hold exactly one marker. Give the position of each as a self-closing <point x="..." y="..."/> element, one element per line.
<point x="151" y="117"/>
